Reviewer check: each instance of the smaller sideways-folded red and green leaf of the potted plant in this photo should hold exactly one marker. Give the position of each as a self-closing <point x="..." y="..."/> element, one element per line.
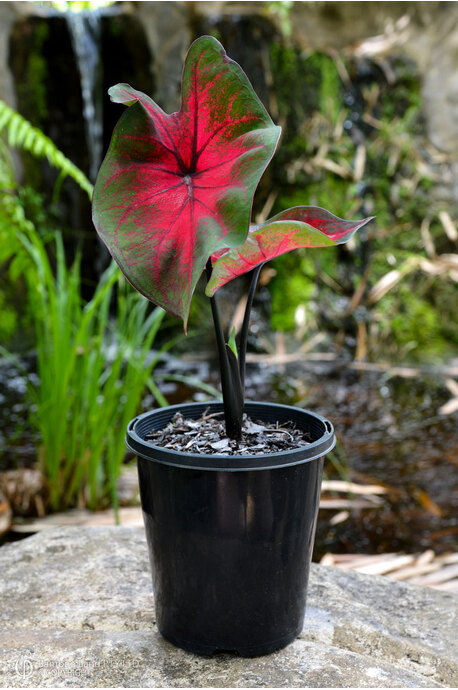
<point x="302" y="226"/>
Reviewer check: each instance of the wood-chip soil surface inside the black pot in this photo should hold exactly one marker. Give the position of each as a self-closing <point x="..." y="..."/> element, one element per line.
<point x="208" y="435"/>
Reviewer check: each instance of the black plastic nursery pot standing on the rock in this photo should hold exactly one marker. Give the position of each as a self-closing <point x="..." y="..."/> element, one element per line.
<point x="230" y="538"/>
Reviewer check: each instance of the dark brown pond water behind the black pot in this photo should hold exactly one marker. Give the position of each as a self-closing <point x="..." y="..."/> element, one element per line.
<point x="389" y="432"/>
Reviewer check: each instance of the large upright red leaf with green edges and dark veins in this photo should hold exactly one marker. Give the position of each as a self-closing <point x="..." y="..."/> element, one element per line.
<point x="175" y="188"/>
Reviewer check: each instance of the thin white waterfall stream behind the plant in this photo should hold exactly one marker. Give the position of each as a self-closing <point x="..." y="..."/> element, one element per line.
<point x="85" y="32"/>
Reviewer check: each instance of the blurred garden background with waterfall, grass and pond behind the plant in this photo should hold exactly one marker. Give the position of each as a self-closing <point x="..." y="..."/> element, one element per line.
<point x="366" y="334"/>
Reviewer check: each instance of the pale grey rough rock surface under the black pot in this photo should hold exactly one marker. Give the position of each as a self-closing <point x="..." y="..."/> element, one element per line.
<point x="77" y="610"/>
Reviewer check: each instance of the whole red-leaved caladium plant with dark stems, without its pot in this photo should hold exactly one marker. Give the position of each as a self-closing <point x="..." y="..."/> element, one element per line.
<point x="174" y="194"/>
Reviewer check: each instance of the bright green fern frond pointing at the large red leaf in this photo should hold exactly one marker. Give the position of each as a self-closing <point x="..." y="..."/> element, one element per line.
<point x="21" y="134"/>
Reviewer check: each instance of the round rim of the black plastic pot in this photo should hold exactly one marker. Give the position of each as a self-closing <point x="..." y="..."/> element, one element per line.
<point x="139" y="426"/>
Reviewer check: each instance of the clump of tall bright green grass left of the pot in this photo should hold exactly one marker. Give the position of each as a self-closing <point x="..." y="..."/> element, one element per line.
<point x="92" y="373"/>
